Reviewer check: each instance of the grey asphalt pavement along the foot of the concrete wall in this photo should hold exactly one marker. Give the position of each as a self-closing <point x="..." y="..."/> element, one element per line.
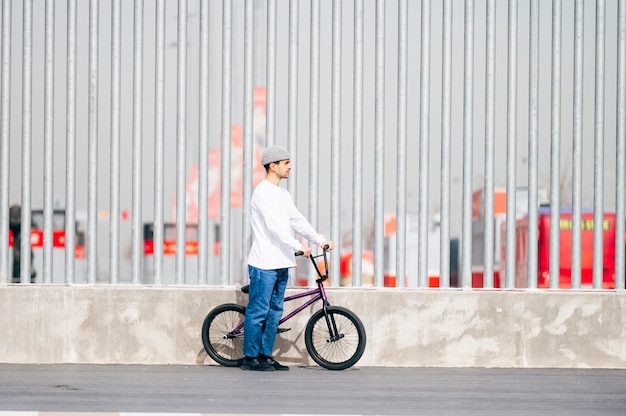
<point x="212" y="389"/>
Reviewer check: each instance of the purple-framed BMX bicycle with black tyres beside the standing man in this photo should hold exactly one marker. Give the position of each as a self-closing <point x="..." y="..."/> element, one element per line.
<point x="334" y="336"/>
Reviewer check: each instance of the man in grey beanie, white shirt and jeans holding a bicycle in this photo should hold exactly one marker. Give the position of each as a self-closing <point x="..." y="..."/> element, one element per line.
<point x="273" y="218"/>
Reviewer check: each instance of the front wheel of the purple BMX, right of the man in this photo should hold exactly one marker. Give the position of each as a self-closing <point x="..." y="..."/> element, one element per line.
<point x="335" y="339"/>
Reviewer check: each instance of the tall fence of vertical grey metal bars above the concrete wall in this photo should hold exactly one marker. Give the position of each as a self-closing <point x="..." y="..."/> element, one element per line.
<point x="415" y="114"/>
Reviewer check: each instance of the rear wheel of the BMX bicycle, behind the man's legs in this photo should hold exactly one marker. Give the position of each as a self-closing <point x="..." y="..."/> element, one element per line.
<point x="221" y="341"/>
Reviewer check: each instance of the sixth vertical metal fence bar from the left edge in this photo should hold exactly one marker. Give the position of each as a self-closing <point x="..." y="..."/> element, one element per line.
<point x="116" y="76"/>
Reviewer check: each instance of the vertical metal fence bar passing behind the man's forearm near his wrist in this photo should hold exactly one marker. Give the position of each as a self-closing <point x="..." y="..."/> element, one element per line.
<point x="314" y="119"/>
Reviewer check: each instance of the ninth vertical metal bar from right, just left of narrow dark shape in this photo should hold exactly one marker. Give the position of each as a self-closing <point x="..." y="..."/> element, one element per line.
<point x="446" y="134"/>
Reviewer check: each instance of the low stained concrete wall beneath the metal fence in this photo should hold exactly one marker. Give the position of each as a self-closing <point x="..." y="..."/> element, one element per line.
<point x="150" y="325"/>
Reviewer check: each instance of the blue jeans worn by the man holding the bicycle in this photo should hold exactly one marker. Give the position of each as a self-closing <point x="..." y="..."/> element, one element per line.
<point x="265" y="308"/>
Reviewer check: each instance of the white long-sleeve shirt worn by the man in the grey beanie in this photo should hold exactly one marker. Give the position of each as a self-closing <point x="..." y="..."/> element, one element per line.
<point x="273" y="216"/>
